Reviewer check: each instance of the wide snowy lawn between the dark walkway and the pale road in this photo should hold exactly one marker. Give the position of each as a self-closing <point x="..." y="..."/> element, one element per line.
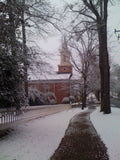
<point x="37" y="139"/>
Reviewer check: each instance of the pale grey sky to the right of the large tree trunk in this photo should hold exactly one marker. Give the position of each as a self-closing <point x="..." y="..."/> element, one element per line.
<point x="114" y="23"/>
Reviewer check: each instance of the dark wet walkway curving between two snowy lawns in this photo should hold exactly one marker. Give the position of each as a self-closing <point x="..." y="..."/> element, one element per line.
<point x="81" y="141"/>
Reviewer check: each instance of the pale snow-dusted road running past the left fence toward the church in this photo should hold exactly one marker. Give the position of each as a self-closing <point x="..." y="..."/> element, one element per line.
<point x="32" y="113"/>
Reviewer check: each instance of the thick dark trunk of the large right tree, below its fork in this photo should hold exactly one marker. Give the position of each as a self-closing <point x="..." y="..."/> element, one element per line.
<point x="104" y="69"/>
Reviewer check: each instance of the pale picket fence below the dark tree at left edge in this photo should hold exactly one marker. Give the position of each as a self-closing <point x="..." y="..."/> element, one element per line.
<point x="9" y="116"/>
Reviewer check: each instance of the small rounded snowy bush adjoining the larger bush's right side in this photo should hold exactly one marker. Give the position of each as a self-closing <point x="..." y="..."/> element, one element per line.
<point x="50" y="98"/>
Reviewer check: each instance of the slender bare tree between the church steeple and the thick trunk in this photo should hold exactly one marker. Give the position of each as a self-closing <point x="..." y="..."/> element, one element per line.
<point x="84" y="61"/>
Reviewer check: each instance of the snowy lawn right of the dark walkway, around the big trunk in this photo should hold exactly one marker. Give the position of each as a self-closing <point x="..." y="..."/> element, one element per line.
<point x="108" y="127"/>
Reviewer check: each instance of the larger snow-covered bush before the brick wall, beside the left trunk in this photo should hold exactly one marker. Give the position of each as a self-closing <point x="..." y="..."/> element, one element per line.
<point x="35" y="97"/>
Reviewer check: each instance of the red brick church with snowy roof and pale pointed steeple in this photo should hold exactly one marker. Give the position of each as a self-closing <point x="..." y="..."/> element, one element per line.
<point x="60" y="83"/>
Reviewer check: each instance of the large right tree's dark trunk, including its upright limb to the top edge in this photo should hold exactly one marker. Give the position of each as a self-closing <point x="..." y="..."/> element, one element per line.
<point x="104" y="59"/>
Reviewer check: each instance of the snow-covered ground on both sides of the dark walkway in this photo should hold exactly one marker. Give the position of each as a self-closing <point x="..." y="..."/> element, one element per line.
<point x="38" y="139"/>
